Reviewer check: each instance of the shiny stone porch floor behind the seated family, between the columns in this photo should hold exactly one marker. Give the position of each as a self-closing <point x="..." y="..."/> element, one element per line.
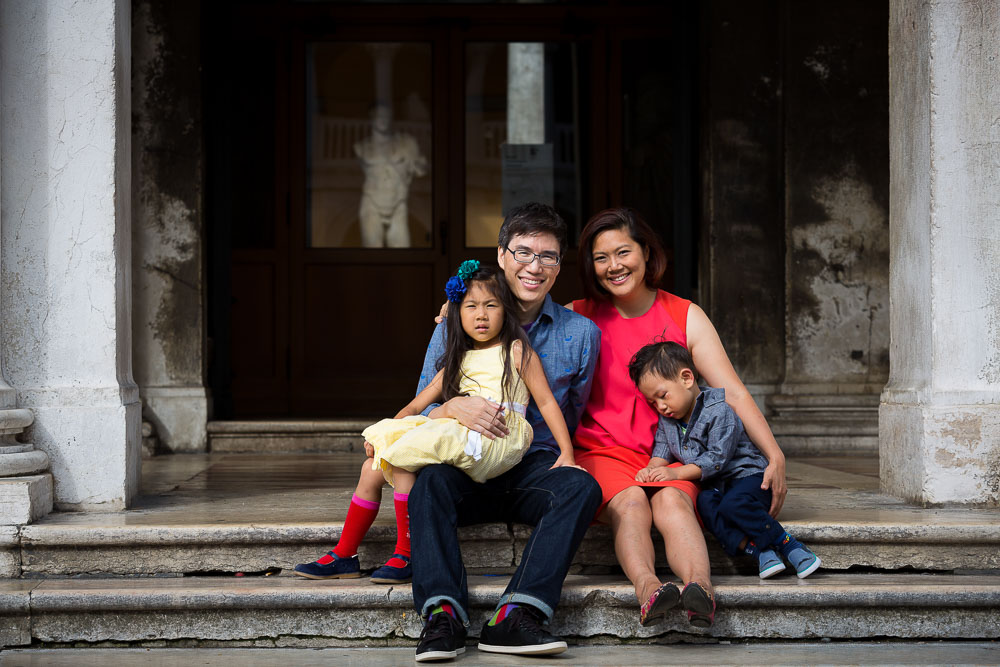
<point x="256" y="488"/>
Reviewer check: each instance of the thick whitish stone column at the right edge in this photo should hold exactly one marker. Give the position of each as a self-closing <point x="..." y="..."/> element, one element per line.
<point x="939" y="418"/>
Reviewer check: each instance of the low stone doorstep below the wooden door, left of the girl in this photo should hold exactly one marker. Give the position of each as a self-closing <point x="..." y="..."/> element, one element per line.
<point x="275" y="436"/>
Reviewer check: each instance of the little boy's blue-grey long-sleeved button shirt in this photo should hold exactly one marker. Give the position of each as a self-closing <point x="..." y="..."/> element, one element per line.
<point x="715" y="440"/>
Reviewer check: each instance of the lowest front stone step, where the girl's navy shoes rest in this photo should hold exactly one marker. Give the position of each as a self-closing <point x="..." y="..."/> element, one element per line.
<point x="288" y="611"/>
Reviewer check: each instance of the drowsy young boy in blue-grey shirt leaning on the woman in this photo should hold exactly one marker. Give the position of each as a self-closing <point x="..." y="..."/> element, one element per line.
<point x="701" y="431"/>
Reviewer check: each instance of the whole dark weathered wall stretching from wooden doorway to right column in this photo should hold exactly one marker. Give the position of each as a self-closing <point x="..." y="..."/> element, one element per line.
<point x="795" y="208"/>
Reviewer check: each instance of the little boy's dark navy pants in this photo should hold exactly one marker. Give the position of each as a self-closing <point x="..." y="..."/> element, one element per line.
<point x="737" y="508"/>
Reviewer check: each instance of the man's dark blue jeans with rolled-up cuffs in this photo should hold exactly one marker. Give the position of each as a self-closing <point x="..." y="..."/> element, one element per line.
<point x="559" y="503"/>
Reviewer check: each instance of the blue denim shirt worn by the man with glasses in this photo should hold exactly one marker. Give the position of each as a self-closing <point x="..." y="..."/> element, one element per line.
<point x="567" y="345"/>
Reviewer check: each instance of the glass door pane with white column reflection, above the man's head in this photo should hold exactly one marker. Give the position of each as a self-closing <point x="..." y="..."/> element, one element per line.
<point x="525" y="105"/>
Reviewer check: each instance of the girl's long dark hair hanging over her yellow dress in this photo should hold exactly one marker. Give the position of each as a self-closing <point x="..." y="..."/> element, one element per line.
<point x="458" y="342"/>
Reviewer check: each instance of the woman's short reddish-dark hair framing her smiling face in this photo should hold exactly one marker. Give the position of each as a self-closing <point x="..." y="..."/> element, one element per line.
<point x="641" y="233"/>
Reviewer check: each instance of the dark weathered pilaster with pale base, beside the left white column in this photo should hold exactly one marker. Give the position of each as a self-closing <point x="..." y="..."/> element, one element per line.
<point x="167" y="220"/>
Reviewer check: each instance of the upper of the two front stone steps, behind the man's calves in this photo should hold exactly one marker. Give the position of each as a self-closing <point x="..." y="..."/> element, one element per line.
<point x="53" y="549"/>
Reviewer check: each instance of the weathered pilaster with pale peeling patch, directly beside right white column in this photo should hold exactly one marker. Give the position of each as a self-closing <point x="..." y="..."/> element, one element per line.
<point x="836" y="185"/>
